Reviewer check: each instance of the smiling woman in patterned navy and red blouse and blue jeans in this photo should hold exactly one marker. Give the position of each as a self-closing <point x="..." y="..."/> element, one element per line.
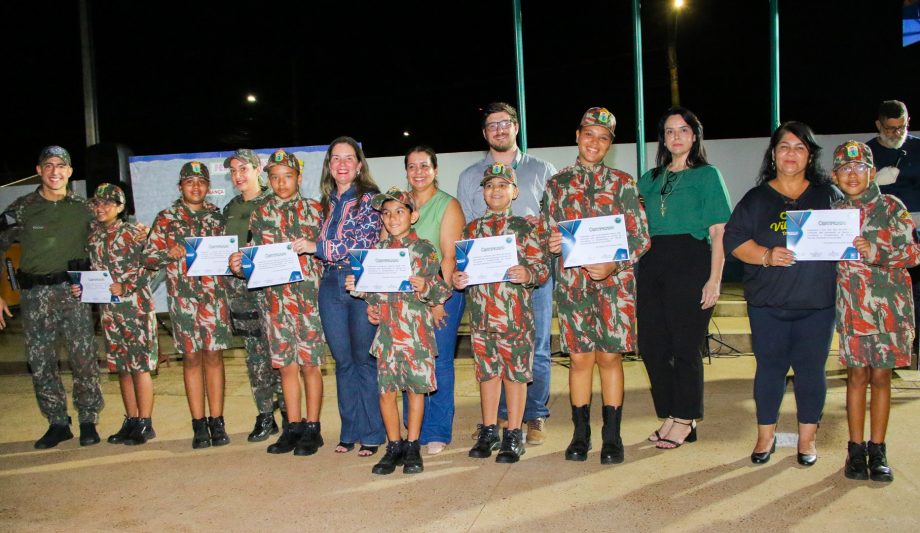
<point x="347" y="188"/>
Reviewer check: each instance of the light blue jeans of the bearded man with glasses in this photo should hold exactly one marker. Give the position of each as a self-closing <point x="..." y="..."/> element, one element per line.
<point x="537" y="405"/>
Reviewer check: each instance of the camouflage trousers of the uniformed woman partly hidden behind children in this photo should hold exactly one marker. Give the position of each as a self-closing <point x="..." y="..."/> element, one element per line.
<point x="264" y="380"/>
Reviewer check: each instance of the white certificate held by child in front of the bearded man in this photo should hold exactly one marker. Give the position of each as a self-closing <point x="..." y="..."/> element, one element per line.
<point x="487" y="260"/>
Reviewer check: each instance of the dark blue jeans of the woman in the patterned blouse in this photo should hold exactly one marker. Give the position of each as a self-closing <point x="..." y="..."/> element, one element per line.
<point x="350" y="336"/>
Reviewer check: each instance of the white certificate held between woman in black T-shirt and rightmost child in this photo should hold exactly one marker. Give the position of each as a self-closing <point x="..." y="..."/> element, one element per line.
<point x="822" y="234"/>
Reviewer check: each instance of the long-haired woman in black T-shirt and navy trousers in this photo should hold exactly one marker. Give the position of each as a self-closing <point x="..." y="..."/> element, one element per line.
<point x="790" y="303"/>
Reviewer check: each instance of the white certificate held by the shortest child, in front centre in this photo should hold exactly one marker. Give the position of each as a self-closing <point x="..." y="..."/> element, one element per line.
<point x="381" y="269"/>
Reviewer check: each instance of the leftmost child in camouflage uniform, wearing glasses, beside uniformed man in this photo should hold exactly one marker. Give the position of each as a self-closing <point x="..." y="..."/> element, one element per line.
<point x="129" y="326"/>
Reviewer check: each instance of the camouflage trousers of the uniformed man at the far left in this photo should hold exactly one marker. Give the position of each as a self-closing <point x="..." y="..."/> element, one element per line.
<point x="50" y="312"/>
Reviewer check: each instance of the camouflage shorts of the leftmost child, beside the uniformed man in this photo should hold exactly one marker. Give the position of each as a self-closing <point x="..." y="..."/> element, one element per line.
<point x="131" y="342"/>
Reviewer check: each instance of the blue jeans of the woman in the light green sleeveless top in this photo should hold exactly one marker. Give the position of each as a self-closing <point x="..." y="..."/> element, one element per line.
<point x="437" y="425"/>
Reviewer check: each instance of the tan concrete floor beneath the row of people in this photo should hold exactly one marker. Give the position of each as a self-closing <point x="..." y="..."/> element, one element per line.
<point x="709" y="485"/>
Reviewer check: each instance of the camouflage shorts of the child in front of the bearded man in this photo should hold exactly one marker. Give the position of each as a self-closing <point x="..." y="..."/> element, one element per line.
<point x="505" y="355"/>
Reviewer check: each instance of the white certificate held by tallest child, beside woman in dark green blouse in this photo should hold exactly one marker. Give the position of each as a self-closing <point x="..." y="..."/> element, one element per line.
<point x="588" y="241"/>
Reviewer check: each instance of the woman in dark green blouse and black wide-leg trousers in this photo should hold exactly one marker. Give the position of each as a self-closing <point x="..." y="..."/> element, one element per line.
<point x="679" y="281"/>
